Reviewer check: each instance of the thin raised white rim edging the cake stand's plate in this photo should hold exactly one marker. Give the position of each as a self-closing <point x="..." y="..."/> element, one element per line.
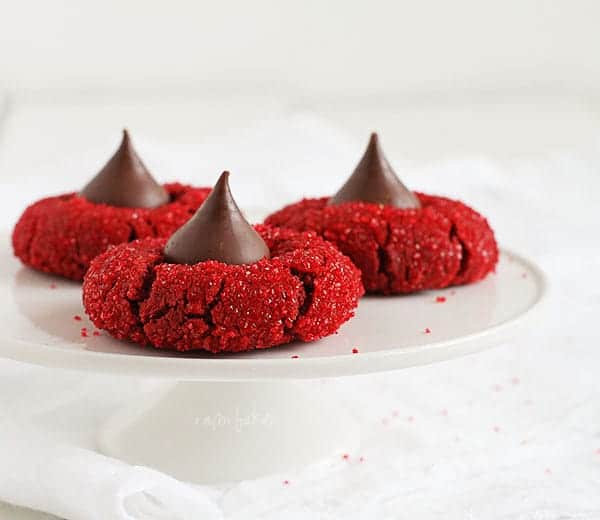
<point x="253" y="369"/>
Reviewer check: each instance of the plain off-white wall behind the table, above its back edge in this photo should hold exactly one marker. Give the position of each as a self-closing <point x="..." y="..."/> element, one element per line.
<point x="313" y="46"/>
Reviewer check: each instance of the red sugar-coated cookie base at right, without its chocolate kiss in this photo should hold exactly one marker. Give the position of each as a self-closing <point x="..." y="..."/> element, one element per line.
<point x="402" y="250"/>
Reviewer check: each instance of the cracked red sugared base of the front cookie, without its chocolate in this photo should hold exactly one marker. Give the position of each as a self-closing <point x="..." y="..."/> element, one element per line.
<point x="305" y="291"/>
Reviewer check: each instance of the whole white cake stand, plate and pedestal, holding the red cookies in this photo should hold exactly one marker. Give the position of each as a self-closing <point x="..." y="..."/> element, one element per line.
<point x="240" y="416"/>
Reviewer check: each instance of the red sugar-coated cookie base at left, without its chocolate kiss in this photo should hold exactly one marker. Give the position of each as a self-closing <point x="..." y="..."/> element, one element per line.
<point x="62" y="234"/>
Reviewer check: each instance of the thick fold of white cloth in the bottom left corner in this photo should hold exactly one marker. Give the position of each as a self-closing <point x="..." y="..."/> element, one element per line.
<point x="79" y="484"/>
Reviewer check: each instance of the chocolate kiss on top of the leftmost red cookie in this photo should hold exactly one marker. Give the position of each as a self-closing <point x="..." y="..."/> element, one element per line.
<point x="124" y="181"/>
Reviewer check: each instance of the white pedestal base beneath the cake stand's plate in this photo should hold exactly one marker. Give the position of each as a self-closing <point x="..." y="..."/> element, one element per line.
<point x="222" y="431"/>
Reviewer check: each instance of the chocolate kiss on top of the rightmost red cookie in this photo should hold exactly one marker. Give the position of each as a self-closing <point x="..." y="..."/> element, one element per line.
<point x="374" y="180"/>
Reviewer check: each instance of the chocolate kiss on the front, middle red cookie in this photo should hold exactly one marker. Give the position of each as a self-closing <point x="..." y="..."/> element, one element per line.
<point x="218" y="231"/>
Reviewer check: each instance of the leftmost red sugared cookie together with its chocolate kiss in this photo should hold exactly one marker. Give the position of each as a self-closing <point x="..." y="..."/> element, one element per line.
<point x="62" y="234"/>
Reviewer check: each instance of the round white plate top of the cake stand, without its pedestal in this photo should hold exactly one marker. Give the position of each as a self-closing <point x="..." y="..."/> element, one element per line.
<point x="38" y="326"/>
